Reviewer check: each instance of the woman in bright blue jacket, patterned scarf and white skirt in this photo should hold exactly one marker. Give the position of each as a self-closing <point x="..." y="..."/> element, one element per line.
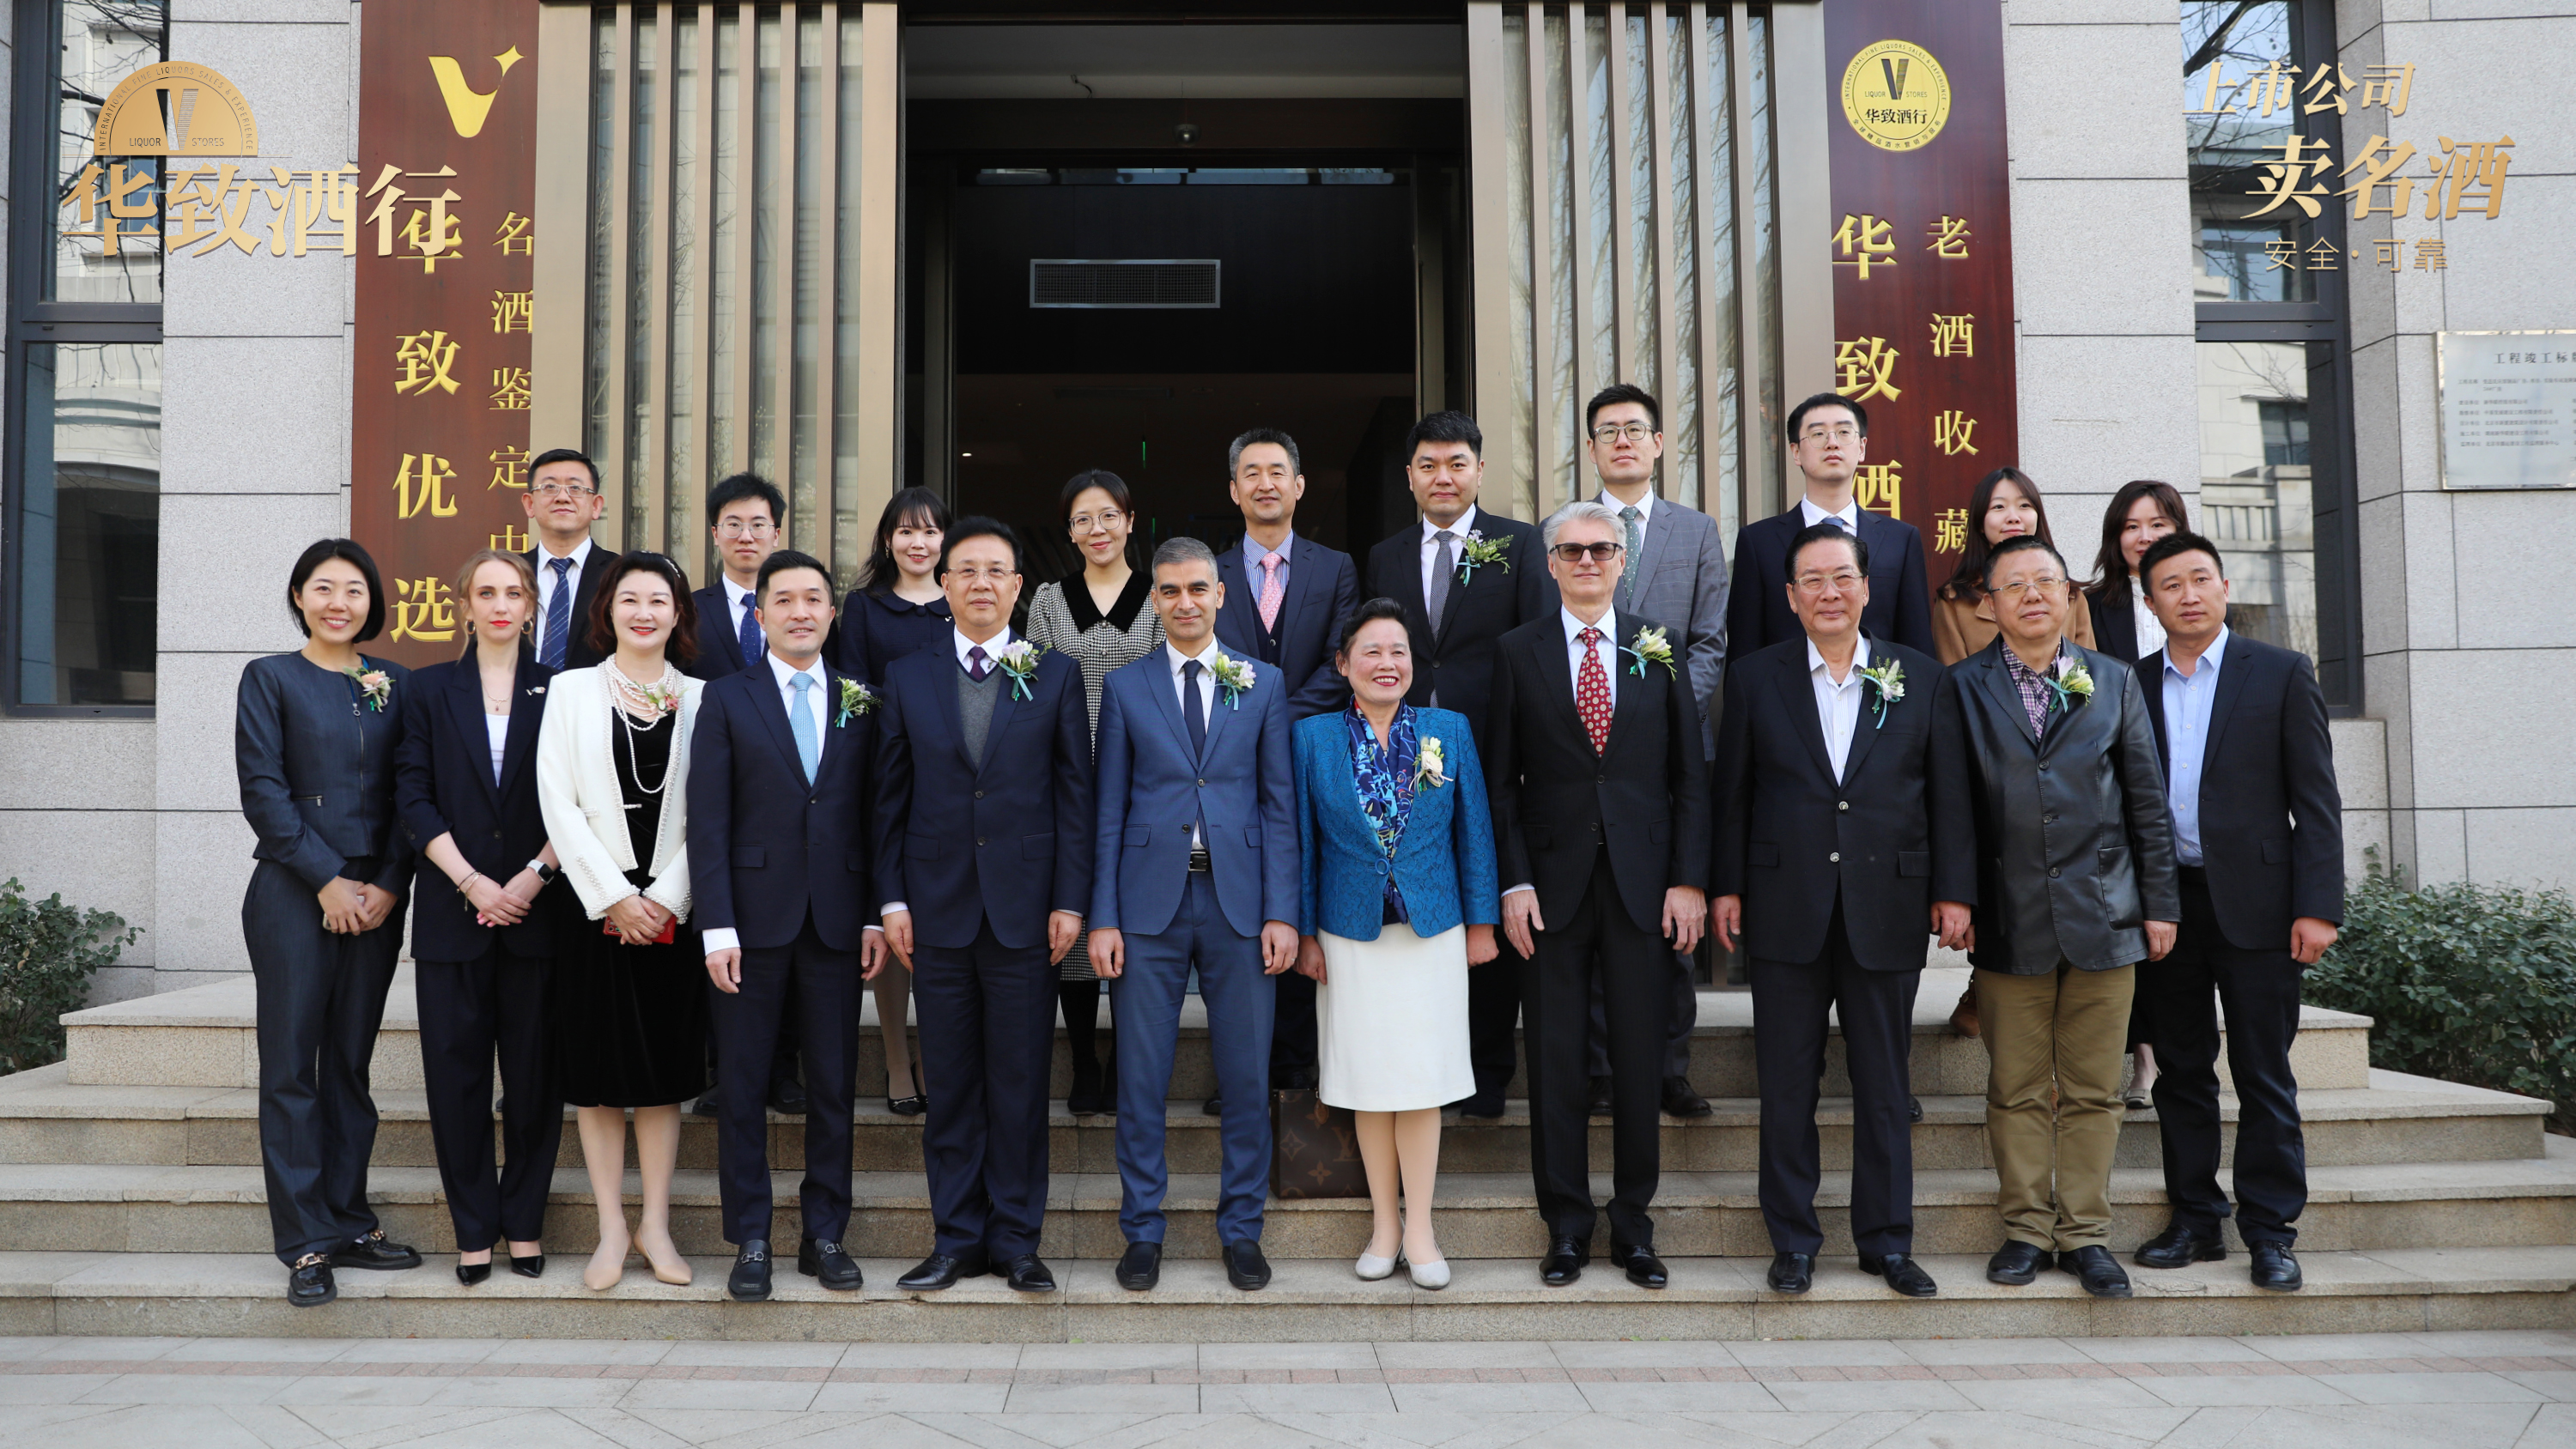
<point x="1397" y="907"/>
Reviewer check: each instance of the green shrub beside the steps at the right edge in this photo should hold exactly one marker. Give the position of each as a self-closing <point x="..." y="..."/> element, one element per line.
<point x="2464" y="982"/>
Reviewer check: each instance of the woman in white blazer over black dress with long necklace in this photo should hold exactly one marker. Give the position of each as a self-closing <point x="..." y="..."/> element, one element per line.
<point x="630" y="990"/>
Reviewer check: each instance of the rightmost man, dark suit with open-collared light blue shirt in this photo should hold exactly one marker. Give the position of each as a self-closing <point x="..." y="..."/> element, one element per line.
<point x="2260" y="848"/>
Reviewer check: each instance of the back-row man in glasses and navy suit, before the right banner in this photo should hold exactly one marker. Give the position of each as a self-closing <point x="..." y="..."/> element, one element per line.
<point x="1828" y="439"/>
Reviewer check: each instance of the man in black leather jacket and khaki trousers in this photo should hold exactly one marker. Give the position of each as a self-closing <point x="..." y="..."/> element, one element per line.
<point x="2054" y="750"/>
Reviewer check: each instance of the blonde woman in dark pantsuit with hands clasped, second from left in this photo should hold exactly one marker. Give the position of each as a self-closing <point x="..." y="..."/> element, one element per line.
<point x="483" y="936"/>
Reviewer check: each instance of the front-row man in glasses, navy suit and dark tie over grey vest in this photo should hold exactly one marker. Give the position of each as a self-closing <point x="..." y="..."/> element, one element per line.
<point x="985" y="871"/>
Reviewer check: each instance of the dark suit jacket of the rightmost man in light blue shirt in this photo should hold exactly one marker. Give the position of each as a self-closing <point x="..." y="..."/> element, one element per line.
<point x="2271" y="815"/>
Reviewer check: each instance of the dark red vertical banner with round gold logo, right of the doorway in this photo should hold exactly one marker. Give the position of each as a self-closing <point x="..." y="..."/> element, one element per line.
<point x="1923" y="256"/>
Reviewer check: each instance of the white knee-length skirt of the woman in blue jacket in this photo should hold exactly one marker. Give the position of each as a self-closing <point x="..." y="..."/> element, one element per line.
<point x="1392" y="1020"/>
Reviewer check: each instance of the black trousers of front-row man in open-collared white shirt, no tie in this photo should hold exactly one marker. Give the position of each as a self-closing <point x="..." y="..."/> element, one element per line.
<point x="1877" y="1010"/>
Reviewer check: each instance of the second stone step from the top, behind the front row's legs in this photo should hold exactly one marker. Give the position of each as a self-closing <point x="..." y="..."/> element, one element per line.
<point x="45" y="1118"/>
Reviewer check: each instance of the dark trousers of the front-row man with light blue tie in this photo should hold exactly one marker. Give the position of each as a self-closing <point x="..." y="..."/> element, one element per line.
<point x="823" y="987"/>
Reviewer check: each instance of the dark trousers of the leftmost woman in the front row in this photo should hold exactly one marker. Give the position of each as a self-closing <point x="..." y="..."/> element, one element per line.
<point x="321" y="1008"/>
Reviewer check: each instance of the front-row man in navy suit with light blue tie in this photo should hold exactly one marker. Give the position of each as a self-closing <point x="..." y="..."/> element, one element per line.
<point x="779" y="874"/>
